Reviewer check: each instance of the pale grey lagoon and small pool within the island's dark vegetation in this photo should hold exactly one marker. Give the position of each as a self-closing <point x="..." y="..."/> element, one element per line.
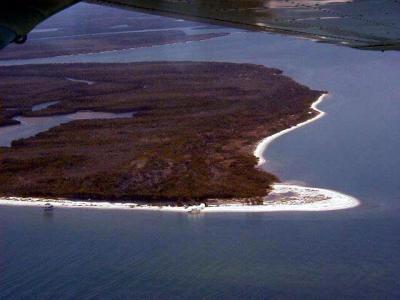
<point x="30" y="126"/>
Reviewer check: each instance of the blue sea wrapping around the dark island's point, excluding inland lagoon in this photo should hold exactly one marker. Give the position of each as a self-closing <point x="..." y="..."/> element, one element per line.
<point x="350" y="254"/>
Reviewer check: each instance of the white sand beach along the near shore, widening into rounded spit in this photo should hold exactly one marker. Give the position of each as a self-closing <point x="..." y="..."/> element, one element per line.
<point x="283" y="197"/>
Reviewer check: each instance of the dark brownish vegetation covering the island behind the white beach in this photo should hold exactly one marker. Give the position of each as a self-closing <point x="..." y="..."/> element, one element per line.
<point x="193" y="137"/>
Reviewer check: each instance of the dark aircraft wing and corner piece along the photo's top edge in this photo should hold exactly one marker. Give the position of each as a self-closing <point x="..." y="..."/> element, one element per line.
<point x="372" y="24"/>
